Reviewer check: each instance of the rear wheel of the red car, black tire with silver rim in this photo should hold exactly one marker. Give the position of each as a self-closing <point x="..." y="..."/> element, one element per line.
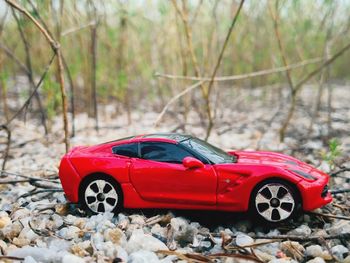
<point x="97" y="192"/>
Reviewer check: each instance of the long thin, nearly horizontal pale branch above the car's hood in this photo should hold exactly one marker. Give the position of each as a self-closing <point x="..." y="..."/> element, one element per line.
<point x="247" y="75"/>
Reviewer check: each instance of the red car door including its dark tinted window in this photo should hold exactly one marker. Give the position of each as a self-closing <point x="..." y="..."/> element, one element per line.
<point x="159" y="176"/>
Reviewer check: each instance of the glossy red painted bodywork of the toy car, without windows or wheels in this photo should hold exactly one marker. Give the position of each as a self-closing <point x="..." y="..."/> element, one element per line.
<point x="192" y="184"/>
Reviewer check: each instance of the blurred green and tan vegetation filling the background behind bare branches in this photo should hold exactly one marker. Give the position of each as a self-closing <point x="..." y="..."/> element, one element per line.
<point x="136" y="39"/>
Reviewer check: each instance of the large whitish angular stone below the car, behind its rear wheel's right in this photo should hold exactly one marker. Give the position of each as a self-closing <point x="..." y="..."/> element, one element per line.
<point x="141" y="241"/>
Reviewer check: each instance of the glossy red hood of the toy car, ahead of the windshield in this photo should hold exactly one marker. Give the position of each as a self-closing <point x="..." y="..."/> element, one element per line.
<point x="276" y="160"/>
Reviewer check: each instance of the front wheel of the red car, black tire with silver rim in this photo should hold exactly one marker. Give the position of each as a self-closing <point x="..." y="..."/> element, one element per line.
<point x="274" y="201"/>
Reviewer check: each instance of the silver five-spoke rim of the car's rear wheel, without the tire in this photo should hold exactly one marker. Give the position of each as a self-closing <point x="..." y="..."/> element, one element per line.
<point x="100" y="196"/>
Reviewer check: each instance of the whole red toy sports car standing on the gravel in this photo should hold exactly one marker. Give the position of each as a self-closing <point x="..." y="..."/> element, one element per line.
<point x="183" y="172"/>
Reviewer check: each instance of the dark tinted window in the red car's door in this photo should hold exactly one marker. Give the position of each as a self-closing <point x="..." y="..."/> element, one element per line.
<point x="163" y="152"/>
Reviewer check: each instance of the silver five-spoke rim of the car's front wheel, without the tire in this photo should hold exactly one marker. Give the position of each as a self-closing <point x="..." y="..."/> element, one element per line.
<point x="274" y="202"/>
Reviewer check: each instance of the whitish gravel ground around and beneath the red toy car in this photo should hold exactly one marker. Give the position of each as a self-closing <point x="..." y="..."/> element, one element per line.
<point x="43" y="227"/>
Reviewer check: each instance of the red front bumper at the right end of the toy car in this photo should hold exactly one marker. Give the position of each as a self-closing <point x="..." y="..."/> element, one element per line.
<point x="315" y="194"/>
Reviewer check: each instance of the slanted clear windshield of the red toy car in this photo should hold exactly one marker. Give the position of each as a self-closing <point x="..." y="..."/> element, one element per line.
<point x="208" y="151"/>
